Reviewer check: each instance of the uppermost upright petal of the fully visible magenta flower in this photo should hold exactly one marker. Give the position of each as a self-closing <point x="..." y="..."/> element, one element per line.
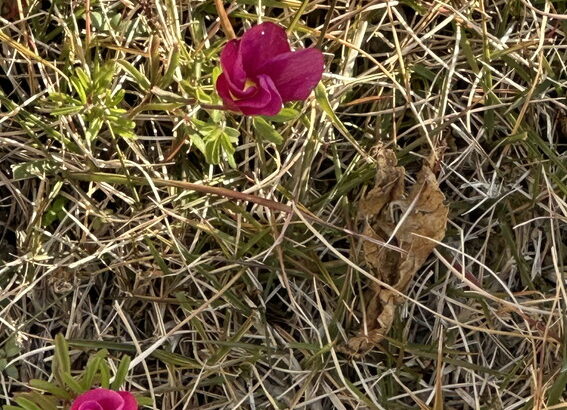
<point x="262" y="43"/>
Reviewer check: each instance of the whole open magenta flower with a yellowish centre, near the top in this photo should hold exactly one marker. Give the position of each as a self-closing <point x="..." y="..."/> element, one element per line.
<point x="260" y="72"/>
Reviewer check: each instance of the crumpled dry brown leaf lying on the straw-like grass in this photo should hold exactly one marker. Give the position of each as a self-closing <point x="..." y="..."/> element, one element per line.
<point x="423" y="222"/>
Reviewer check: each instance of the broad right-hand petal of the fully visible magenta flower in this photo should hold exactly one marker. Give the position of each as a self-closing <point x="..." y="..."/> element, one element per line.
<point x="295" y="74"/>
